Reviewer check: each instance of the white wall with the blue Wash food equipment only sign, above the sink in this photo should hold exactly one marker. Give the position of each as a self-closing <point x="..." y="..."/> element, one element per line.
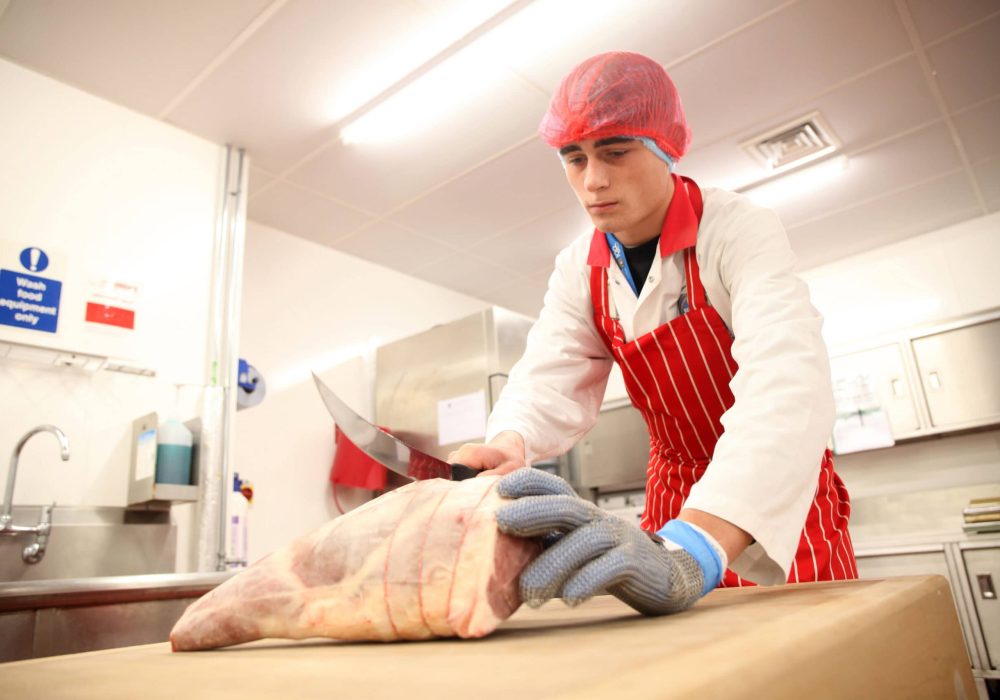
<point x="110" y="194"/>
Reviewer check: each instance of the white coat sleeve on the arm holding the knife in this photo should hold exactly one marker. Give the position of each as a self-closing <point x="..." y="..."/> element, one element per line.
<point x="554" y="392"/>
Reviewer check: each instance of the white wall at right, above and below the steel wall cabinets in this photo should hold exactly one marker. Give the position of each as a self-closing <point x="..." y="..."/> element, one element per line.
<point x="914" y="487"/>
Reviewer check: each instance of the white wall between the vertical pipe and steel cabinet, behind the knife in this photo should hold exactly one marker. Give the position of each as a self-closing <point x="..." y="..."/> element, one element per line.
<point x="307" y="307"/>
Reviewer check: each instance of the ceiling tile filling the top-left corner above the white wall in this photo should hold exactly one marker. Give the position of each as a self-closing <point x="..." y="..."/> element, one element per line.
<point x="139" y="54"/>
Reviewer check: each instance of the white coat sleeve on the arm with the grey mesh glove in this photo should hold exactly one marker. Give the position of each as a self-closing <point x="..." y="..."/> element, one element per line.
<point x="765" y="468"/>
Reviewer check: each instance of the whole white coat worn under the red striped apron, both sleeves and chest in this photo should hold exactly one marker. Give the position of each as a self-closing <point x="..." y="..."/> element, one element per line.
<point x="764" y="471"/>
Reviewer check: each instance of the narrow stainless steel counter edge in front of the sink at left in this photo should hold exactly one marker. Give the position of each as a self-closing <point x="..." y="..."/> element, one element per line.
<point x="22" y="595"/>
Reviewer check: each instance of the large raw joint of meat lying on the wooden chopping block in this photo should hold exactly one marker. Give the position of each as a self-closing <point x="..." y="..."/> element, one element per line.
<point x="420" y="562"/>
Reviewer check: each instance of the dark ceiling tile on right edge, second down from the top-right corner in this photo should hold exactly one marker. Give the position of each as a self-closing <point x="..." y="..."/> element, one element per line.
<point x="967" y="66"/>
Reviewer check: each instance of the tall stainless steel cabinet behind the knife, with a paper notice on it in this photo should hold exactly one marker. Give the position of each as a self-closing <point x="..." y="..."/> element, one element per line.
<point x="457" y="359"/>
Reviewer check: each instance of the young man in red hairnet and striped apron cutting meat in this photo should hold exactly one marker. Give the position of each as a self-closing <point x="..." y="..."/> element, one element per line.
<point x="692" y="293"/>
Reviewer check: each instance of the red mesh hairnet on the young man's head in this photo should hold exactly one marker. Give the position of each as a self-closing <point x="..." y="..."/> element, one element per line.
<point x="617" y="94"/>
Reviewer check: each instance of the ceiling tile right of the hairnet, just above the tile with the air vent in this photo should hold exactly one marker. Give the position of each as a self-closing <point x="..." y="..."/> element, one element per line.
<point x="781" y="63"/>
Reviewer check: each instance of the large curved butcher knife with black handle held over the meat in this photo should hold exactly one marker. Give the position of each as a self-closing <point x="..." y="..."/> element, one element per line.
<point x="384" y="447"/>
